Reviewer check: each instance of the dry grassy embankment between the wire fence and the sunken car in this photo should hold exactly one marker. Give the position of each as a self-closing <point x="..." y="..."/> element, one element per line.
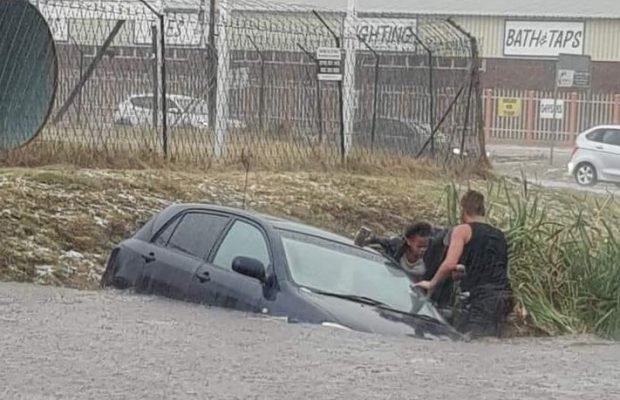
<point x="57" y="225"/>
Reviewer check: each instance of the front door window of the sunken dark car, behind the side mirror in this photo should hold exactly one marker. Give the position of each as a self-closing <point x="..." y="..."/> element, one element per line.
<point x="242" y="240"/>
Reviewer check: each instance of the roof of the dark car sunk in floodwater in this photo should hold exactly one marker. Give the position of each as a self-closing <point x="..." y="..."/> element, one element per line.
<point x="275" y="222"/>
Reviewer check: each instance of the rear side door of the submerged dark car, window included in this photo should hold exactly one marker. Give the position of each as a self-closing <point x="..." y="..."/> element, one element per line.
<point x="174" y="255"/>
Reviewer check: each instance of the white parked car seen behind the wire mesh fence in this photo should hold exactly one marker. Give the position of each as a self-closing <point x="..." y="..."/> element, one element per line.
<point x="182" y="111"/>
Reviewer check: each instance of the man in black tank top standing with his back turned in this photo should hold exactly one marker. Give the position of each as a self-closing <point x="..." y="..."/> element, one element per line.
<point x="483" y="251"/>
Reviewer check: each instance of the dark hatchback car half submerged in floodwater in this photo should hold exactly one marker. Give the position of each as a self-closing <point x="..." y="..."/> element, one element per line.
<point x="250" y="262"/>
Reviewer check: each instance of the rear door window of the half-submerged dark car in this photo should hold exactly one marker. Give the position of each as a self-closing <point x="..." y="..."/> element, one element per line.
<point x="196" y="233"/>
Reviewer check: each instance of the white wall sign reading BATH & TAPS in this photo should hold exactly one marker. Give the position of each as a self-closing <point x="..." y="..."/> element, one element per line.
<point x="543" y="38"/>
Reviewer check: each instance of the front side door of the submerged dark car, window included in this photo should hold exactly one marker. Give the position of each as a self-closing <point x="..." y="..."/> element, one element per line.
<point x="215" y="283"/>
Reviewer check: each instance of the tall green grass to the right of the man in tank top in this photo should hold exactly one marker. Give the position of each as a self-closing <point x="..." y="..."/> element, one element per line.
<point x="564" y="256"/>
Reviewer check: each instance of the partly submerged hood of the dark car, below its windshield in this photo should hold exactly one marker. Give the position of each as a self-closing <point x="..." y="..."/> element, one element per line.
<point x="374" y="319"/>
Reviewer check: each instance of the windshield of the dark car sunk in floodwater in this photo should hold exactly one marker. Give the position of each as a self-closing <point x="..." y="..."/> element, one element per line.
<point x="327" y="266"/>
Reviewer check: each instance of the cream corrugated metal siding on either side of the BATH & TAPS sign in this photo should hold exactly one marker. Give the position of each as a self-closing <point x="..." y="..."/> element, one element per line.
<point x="602" y="40"/>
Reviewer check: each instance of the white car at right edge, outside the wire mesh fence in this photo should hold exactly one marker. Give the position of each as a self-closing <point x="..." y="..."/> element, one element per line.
<point x="596" y="156"/>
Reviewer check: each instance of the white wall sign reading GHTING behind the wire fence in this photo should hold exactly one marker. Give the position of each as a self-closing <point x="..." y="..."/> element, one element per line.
<point x="395" y="34"/>
